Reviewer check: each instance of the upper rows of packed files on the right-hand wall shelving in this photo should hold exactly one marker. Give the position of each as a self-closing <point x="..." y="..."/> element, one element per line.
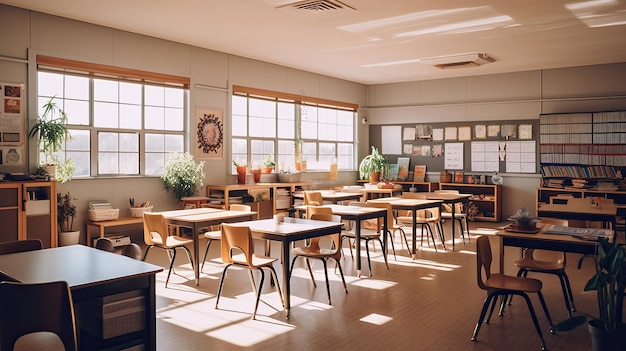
<point x="597" y="138"/>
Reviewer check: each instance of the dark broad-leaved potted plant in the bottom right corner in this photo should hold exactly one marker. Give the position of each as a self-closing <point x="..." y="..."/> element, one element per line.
<point x="608" y="332"/>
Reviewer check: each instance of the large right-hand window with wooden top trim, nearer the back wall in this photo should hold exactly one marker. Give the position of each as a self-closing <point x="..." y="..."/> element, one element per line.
<point x="294" y="129"/>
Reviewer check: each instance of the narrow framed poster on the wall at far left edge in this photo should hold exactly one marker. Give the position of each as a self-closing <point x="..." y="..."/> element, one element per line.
<point x="12" y="114"/>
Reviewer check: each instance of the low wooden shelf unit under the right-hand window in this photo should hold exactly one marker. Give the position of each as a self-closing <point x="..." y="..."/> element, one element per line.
<point x="268" y="196"/>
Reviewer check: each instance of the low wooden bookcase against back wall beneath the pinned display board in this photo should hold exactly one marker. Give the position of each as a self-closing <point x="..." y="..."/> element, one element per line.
<point x="488" y="199"/>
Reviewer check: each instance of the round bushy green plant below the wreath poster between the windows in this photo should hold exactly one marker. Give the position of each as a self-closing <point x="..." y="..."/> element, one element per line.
<point x="183" y="176"/>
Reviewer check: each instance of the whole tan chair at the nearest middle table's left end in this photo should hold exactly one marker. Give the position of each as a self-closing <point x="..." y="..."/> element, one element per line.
<point x="238" y="250"/>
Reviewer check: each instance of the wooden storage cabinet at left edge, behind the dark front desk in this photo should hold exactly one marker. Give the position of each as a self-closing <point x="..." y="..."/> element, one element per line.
<point x="28" y="210"/>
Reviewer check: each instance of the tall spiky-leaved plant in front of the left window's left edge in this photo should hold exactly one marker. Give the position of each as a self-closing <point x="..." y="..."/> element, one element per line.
<point x="52" y="132"/>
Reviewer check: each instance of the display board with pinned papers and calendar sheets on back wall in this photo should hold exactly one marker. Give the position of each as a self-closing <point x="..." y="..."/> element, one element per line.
<point x="477" y="147"/>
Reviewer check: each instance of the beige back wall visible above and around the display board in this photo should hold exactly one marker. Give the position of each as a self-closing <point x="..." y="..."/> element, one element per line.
<point x="501" y="97"/>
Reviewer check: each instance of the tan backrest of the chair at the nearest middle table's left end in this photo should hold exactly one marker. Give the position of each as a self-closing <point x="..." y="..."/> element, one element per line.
<point x="235" y="240"/>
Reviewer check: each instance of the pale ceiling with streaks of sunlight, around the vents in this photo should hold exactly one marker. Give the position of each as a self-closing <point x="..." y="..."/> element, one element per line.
<point x="374" y="41"/>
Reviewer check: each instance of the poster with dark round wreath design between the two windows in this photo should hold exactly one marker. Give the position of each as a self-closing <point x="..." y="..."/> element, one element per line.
<point x="209" y="133"/>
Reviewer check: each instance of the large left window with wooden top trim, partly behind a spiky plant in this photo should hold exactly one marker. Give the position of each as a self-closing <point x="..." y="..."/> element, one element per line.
<point x="122" y="122"/>
